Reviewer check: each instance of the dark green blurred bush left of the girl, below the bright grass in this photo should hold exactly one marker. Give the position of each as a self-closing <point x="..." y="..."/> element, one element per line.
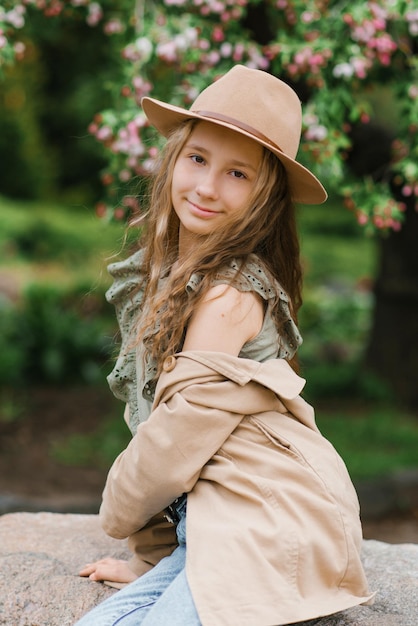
<point x="55" y="335"/>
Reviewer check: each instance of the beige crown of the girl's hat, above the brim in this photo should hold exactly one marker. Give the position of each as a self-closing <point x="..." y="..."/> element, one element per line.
<point x="255" y="100"/>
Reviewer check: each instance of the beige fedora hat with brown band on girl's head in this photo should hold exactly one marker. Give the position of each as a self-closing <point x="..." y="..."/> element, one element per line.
<point x="256" y="104"/>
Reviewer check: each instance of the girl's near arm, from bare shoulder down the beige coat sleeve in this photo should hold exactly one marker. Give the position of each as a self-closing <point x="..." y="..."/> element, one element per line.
<point x="166" y="456"/>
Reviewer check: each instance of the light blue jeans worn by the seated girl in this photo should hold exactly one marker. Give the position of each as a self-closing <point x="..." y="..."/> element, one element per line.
<point x="161" y="596"/>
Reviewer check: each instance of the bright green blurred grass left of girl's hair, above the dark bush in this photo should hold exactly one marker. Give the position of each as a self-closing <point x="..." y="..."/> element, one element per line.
<point x="48" y="242"/>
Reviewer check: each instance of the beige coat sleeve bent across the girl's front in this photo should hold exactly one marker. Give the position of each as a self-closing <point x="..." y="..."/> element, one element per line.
<point x="165" y="457"/>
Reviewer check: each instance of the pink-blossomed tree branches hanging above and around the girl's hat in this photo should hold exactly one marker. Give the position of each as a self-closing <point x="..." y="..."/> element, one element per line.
<point x="336" y="54"/>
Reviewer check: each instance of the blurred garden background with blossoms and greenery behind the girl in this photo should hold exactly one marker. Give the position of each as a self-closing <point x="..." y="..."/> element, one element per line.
<point x="73" y="151"/>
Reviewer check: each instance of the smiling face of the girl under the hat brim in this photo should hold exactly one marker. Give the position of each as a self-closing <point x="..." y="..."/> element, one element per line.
<point x="213" y="178"/>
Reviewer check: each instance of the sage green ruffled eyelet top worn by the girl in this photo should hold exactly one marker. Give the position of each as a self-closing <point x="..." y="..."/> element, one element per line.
<point x="133" y="383"/>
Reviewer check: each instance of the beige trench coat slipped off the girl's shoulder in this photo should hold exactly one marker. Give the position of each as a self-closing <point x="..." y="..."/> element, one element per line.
<point x="273" y="529"/>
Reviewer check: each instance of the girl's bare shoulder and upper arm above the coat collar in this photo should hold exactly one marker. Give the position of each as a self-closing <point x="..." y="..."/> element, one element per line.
<point x="225" y="320"/>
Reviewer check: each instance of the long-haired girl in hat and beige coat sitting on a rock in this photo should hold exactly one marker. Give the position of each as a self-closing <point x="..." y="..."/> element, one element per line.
<point x="224" y="449"/>
